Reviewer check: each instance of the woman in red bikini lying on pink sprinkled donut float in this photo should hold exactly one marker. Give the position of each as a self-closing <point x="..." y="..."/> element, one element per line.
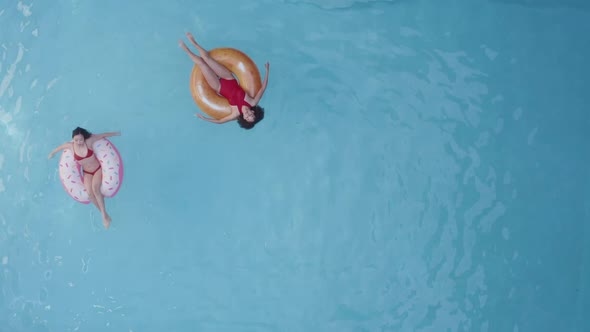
<point x="81" y="142"/>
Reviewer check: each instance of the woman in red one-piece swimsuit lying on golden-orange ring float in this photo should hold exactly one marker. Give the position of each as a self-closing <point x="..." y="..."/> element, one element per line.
<point x="245" y="108"/>
